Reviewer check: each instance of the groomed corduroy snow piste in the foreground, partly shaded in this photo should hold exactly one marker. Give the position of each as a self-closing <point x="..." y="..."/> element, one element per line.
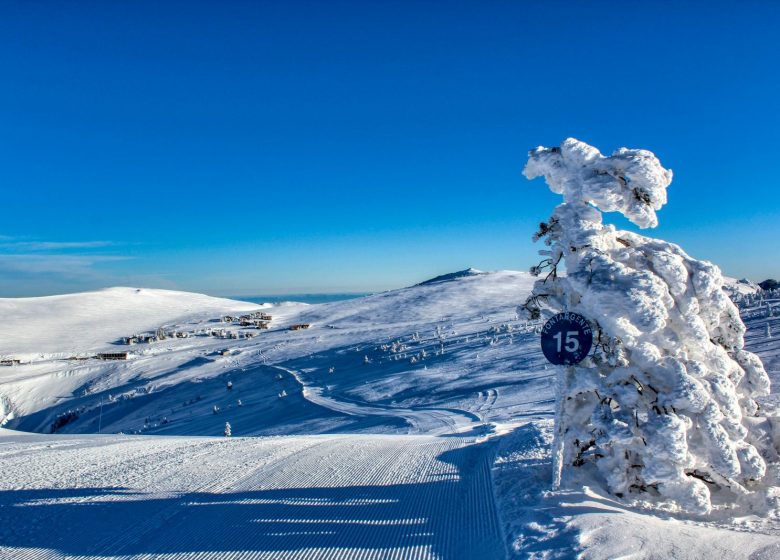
<point x="354" y="496"/>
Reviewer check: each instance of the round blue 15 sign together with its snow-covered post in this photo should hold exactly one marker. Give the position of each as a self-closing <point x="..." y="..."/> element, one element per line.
<point x="566" y="339"/>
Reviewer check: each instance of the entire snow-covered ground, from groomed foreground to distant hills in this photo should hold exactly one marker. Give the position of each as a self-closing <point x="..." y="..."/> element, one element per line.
<point x="414" y="423"/>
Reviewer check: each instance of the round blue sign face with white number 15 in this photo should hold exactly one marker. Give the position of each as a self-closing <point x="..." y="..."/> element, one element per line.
<point x="566" y="339"/>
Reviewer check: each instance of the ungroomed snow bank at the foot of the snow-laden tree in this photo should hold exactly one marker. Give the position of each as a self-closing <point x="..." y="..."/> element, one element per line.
<point x="588" y="523"/>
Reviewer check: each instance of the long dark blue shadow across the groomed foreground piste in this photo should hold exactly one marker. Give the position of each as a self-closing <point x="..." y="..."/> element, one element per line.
<point x="452" y="517"/>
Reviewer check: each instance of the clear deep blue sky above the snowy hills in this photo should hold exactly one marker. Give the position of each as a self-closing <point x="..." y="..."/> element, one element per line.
<point x="287" y="147"/>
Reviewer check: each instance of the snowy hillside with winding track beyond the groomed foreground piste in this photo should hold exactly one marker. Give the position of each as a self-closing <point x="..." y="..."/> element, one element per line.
<point x="407" y="347"/>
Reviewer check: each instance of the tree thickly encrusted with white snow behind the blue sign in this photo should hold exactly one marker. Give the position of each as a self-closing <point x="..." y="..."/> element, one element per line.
<point x="664" y="409"/>
